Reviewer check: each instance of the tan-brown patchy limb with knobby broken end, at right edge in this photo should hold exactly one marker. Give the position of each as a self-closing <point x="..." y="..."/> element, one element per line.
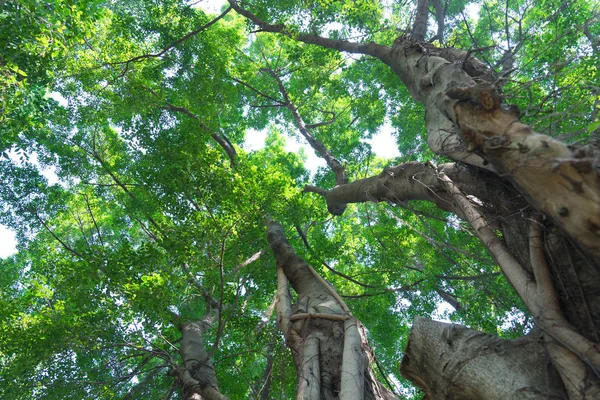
<point x="560" y="181"/>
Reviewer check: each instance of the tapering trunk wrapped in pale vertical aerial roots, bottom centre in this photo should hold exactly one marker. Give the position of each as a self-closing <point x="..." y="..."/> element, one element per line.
<point x="325" y="367"/>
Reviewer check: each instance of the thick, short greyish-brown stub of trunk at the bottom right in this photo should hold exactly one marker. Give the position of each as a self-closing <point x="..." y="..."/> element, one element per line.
<point x="450" y="361"/>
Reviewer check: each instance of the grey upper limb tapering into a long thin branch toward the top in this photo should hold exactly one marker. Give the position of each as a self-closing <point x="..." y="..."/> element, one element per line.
<point x="426" y="71"/>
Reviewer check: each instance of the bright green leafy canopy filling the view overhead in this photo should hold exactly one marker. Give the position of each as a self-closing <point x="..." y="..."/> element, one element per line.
<point x="148" y="208"/>
